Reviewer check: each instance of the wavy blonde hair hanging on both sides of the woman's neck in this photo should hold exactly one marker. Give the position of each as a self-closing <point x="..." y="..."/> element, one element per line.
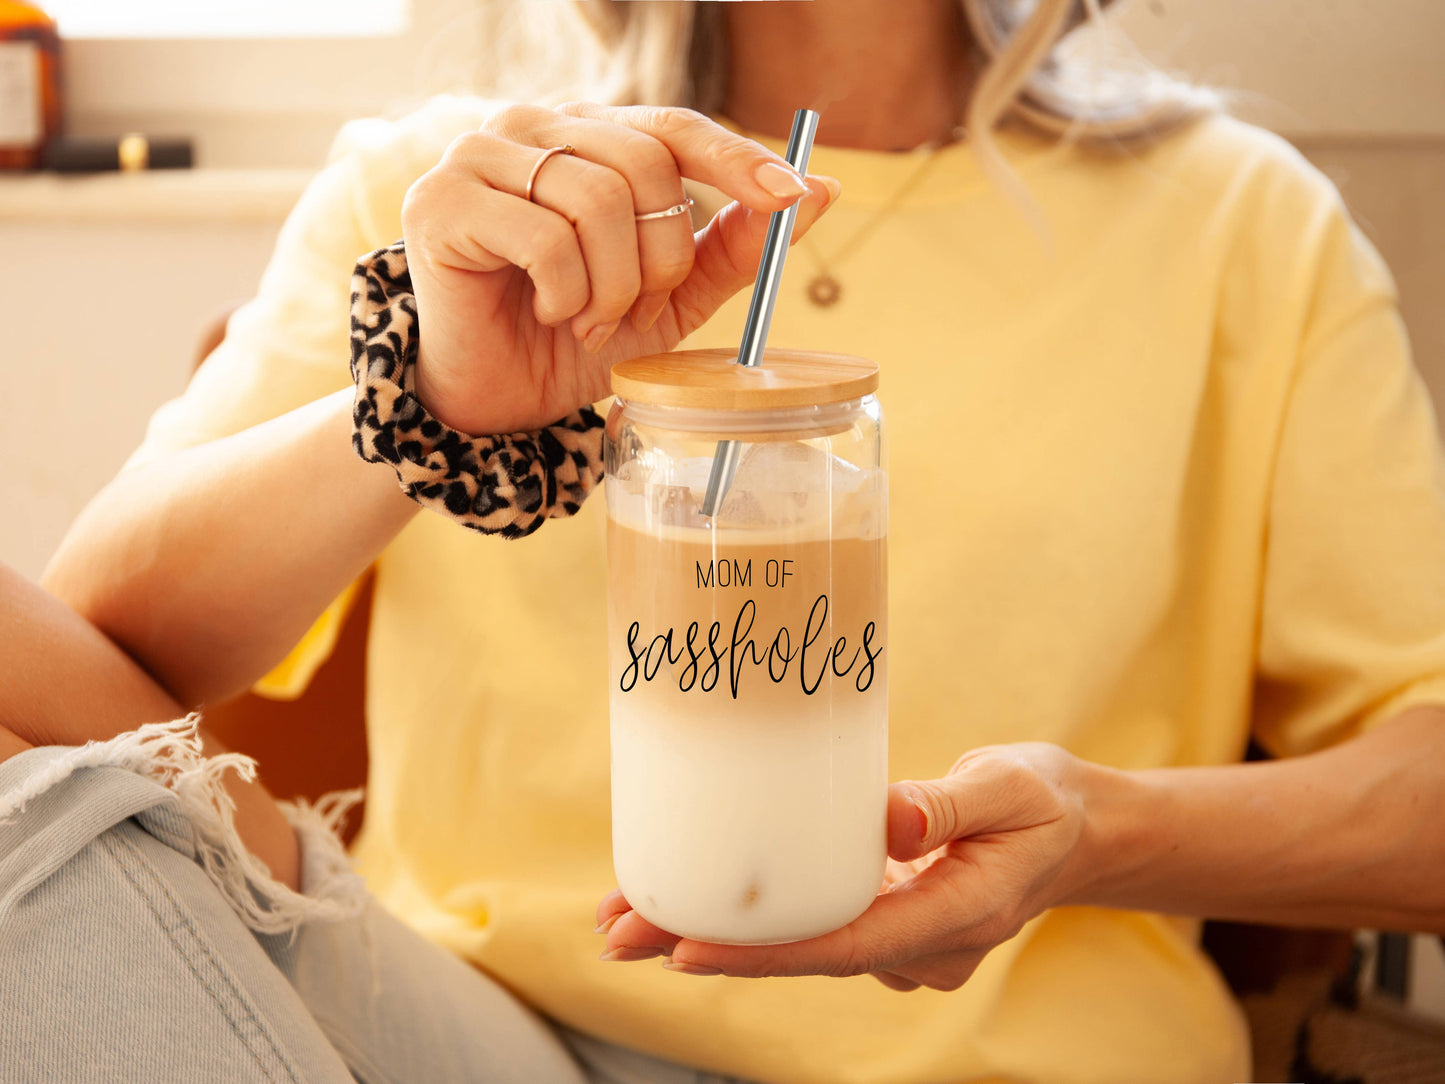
<point x="1051" y="66"/>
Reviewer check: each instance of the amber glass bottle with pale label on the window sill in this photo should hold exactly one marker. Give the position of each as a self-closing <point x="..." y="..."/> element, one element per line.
<point x="30" y="83"/>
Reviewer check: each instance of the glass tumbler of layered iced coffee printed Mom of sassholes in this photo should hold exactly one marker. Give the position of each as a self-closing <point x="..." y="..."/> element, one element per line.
<point x="748" y="651"/>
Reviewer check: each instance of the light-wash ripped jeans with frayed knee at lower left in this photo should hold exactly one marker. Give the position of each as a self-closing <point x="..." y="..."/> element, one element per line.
<point x="139" y="942"/>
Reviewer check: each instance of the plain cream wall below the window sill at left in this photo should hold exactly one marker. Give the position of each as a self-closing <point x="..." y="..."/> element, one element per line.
<point x="105" y="323"/>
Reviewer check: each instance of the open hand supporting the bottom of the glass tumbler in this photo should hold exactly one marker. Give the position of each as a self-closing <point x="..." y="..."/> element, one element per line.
<point x="973" y="858"/>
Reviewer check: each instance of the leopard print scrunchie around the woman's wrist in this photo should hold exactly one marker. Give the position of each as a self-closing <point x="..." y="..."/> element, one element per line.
<point x="506" y="485"/>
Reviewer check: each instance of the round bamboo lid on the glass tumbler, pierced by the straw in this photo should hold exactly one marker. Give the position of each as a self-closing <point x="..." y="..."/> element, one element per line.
<point x="712" y="381"/>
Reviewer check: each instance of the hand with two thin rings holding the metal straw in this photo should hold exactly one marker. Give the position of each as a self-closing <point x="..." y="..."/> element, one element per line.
<point x="525" y="307"/>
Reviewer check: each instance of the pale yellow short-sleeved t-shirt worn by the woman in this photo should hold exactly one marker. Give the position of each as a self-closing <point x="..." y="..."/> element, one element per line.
<point x="1161" y="481"/>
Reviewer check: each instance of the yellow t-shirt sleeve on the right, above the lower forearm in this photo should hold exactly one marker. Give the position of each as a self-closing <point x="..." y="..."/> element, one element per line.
<point x="1353" y="612"/>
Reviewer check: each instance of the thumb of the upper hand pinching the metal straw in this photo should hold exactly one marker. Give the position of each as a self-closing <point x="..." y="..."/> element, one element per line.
<point x="730" y="248"/>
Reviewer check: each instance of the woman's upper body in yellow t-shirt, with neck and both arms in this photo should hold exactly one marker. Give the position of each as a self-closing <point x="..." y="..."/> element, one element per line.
<point x="1163" y="479"/>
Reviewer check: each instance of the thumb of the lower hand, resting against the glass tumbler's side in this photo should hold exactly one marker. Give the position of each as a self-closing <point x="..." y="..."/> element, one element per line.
<point x="983" y="796"/>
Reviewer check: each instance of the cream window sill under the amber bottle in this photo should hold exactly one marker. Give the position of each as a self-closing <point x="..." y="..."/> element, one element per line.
<point x="163" y="196"/>
